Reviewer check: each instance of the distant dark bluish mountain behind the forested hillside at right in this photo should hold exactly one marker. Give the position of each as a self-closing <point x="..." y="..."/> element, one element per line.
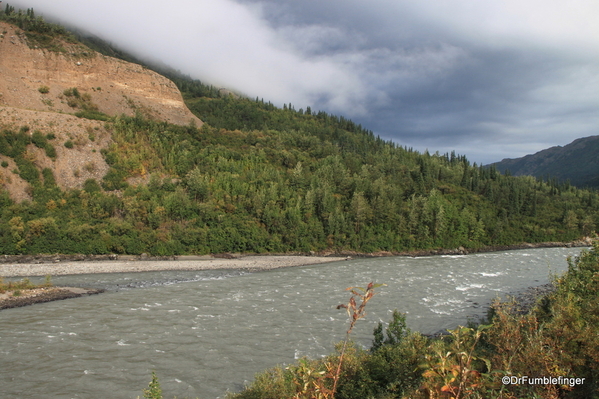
<point x="577" y="162"/>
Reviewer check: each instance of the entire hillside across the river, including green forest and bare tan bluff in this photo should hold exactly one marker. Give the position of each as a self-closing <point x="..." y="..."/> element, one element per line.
<point x="253" y="178"/>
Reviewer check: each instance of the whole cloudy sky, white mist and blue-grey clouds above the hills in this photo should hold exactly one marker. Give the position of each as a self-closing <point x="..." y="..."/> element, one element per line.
<point x="487" y="79"/>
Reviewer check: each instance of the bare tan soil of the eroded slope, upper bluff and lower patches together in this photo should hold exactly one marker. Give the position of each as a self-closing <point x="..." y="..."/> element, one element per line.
<point x="32" y="93"/>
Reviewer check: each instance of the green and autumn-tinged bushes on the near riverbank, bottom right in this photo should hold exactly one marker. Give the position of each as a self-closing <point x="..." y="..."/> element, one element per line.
<point x="557" y="339"/>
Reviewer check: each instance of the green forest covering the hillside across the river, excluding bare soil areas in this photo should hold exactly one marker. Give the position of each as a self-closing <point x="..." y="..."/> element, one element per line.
<point x="256" y="178"/>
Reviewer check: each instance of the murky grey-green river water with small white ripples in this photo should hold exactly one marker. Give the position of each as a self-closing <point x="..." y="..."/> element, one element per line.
<point x="206" y="332"/>
